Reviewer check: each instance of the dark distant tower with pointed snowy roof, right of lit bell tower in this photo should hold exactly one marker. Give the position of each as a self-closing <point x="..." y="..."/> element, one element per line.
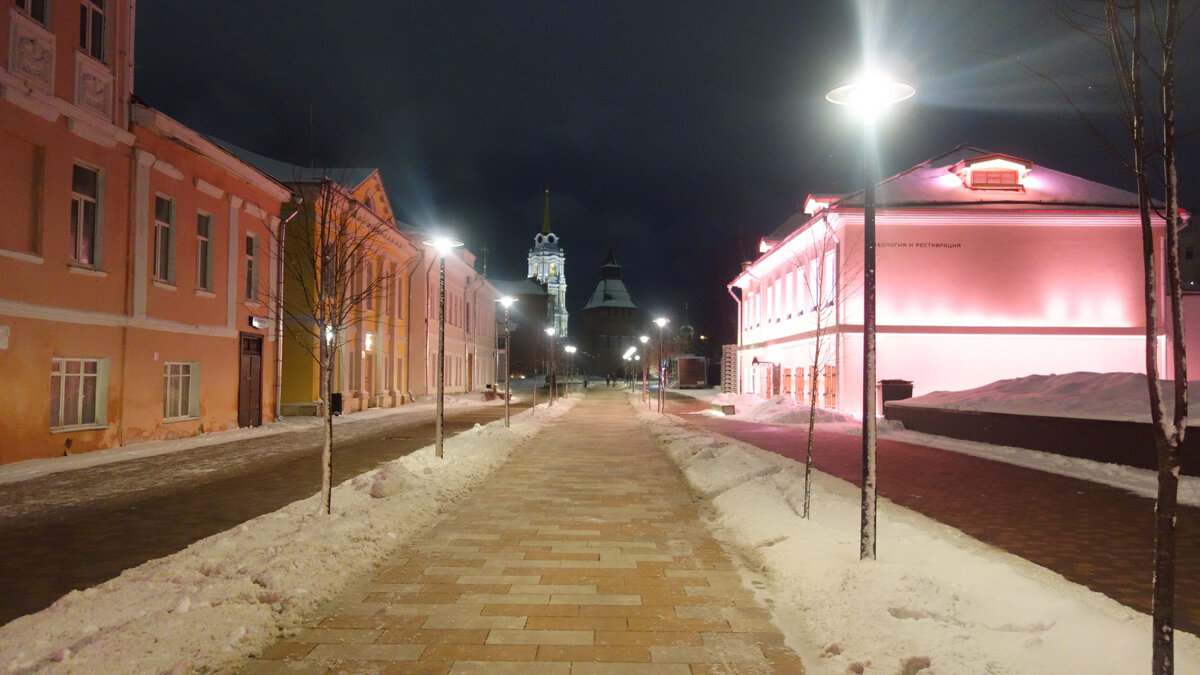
<point x="613" y="324"/>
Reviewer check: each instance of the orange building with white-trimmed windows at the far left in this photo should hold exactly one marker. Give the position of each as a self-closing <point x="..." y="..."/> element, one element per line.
<point x="125" y="313"/>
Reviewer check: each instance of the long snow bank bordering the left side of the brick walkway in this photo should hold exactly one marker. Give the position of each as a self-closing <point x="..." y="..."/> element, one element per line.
<point x="230" y="596"/>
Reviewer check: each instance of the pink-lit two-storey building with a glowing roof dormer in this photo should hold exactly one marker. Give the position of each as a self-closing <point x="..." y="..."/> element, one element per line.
<point x="989" y="267"/>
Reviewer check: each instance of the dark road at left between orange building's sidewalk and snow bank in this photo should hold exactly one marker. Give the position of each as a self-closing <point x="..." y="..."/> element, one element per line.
<point x="79" y="529"/>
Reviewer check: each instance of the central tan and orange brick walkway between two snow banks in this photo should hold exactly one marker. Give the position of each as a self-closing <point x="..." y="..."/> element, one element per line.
<point x="585" y="554"/>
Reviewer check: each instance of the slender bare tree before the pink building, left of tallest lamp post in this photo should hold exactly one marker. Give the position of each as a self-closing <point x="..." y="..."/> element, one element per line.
<point x="827" y="280"/>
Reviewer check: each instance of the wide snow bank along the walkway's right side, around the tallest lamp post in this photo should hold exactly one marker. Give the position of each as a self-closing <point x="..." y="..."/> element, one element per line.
<point x="937" y="601"/>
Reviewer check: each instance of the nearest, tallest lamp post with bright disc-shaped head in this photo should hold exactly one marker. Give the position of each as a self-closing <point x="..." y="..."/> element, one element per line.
<point x="869" y="98"/>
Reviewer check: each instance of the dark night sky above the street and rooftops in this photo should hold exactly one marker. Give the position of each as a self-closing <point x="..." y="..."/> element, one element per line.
<point x="677" y="133"/>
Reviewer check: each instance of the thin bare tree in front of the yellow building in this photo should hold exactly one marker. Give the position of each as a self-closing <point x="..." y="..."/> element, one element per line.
<point x="329" y="272"/>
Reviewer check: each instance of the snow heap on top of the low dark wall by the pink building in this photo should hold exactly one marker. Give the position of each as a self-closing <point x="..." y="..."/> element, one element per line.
<point x="1096" y="396"/>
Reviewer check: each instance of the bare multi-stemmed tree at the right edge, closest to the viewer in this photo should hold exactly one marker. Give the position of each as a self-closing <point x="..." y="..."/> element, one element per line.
<point x="1142" y="38"/>
